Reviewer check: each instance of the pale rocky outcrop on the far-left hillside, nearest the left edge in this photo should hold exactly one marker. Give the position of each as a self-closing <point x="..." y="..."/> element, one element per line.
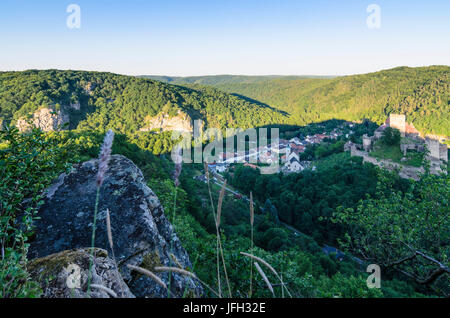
<point x="47" y="119"/>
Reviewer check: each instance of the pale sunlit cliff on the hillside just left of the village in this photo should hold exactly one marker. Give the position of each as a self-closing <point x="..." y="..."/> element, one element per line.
<point x="182" y="122"/>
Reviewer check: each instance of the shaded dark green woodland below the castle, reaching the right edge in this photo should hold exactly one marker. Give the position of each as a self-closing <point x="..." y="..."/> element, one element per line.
<point x="370" y="213"/>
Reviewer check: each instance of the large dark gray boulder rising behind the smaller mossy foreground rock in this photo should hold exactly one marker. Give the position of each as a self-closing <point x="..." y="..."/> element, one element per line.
<point x="141" y="233"/>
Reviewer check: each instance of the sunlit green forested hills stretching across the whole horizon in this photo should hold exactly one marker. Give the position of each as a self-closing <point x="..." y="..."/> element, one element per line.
<point x="123" y="102"/>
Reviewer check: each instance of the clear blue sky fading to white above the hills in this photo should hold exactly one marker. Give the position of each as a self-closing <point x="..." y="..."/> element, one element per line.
<point x="204" y="37"/>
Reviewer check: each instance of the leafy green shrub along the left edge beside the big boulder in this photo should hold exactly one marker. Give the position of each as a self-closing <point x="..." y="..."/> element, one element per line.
<point x="28" y="163"/>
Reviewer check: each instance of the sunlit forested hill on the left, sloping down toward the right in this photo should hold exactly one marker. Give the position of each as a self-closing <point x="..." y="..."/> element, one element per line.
<point x="103" y="100"/>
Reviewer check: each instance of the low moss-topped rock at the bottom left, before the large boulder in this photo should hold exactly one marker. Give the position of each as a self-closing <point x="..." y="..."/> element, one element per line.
<point x="65" y="275"/>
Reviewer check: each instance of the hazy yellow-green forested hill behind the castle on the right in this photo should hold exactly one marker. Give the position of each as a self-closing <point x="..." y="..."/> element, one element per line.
<point x="423" y="94"/>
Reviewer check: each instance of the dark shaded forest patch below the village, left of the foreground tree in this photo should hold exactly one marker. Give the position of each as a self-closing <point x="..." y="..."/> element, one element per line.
<point x="304" y="200"/>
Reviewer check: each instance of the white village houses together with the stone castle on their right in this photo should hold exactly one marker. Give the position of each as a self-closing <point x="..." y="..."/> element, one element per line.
<point x="288" y="152"/>
